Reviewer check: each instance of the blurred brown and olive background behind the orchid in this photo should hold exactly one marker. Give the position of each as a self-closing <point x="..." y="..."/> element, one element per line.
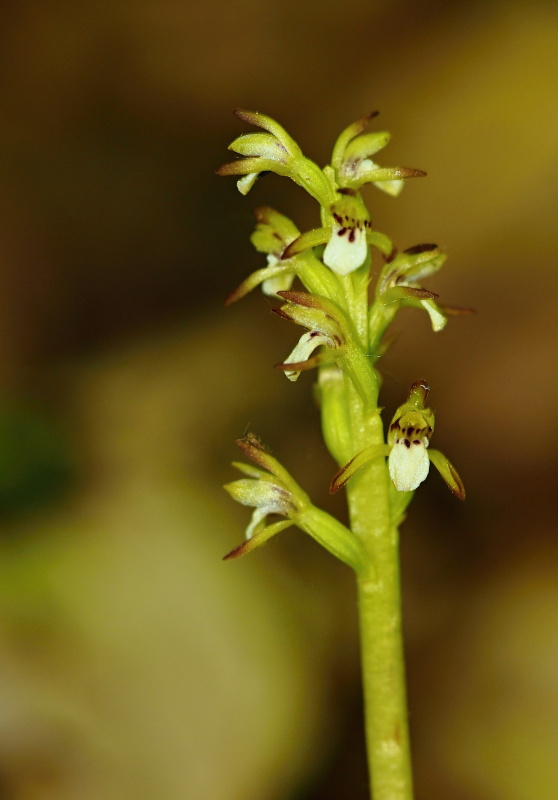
<point x="134" y="663"/>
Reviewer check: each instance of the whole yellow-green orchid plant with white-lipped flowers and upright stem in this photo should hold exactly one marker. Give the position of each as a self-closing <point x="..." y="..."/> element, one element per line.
<point x="345" y="334"/>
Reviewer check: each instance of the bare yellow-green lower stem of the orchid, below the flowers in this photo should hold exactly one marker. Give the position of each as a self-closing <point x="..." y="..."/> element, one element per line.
<point x="383" y="670"/>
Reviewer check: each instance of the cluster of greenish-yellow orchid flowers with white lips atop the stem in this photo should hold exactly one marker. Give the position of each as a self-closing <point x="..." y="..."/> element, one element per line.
<point x="345" y="333"/>
